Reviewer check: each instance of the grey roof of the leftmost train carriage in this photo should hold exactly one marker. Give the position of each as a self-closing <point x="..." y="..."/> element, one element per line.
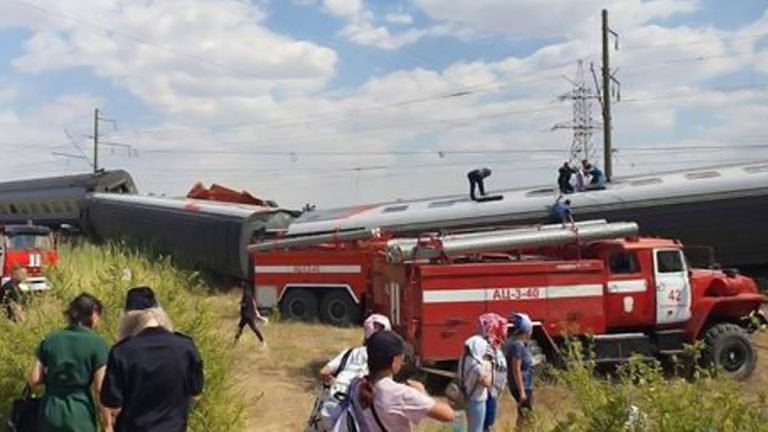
<point x="97" y="182"/>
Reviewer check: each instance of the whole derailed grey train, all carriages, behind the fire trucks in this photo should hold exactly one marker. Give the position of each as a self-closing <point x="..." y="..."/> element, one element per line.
<point x="721" y="207"/>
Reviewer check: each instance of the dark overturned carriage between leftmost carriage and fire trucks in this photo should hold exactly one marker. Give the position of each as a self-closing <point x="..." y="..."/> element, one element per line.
<point x="197" y="234"/>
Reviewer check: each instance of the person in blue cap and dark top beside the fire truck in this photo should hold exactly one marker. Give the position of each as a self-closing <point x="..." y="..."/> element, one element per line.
<point x="520" y="366"/>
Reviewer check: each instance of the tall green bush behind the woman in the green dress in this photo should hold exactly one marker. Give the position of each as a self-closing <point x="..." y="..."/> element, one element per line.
<point x="108" y="272"/>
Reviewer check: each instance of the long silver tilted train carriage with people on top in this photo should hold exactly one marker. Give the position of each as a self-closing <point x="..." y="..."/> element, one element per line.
<point x="720" y="207"/>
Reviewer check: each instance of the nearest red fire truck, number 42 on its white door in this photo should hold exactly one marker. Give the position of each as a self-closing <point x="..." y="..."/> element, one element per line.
<point x="634" y="296"/>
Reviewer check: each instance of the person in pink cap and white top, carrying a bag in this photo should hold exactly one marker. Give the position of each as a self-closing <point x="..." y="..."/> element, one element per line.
<point x="338" y="373"/>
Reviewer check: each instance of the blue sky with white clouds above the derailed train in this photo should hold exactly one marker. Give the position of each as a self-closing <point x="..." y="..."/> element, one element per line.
<point x="340" y="102"/>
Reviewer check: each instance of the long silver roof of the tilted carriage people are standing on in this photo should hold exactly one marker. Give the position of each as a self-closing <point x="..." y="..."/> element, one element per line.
<point x="677" y="187"/>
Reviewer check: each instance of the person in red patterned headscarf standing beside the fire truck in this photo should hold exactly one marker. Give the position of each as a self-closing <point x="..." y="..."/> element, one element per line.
<point x="493" y="328"/>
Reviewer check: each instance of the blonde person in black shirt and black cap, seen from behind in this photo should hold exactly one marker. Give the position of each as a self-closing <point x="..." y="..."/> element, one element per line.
<point x="153" y="374"/>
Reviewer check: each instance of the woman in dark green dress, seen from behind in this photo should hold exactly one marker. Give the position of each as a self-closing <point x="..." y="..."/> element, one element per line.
<point x="71" y="363"/>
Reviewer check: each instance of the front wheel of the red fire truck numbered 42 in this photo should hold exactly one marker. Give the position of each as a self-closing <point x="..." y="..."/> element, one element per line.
<point x="728" y="347"/>
